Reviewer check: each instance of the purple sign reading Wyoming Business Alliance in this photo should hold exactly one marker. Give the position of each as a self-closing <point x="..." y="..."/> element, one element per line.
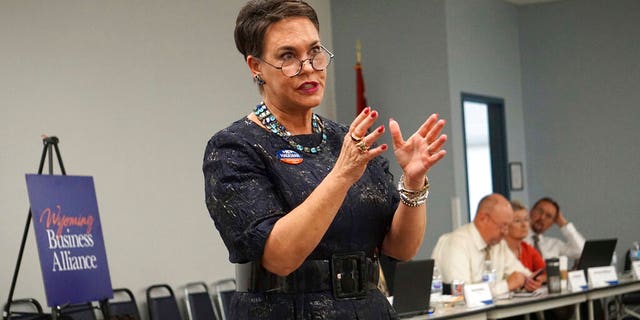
<point x="69" y="236"/>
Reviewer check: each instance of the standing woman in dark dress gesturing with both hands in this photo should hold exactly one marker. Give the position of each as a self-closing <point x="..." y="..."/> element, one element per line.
<point x="305" y="205"/>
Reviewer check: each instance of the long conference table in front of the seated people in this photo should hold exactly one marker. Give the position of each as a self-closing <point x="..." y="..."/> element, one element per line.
<point x="523" y="305"/>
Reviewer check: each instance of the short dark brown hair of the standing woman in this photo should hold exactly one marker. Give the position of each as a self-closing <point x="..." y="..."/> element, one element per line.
<point x="257" y="15"/>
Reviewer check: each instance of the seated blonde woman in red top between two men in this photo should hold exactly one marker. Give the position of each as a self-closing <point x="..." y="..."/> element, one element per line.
<point x="518" y="230"/>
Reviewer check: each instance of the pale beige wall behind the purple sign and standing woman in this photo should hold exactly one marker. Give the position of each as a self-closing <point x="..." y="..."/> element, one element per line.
<point x="133" y="89"/>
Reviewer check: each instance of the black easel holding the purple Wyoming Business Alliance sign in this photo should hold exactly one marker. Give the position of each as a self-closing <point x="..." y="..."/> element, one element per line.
<point x="50" y="145"/>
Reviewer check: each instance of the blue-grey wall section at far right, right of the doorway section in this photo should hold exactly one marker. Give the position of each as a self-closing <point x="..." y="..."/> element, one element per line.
<point x="581" y="91"/>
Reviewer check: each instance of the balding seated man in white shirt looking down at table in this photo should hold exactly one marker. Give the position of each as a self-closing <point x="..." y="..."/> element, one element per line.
<point x="460" y="255"/>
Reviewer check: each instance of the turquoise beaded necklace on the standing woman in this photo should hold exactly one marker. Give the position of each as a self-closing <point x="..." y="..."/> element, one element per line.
<point x="270" y="121"/>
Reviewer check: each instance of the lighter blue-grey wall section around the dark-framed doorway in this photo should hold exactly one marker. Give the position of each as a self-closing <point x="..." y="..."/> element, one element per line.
<point x="484" y="59"/>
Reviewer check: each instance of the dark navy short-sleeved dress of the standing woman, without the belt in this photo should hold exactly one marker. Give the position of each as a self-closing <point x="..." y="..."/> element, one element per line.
<point x="248" y="187"/>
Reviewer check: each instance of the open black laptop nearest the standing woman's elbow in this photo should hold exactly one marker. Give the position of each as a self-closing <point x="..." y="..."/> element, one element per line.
<point x="412" y="287"/>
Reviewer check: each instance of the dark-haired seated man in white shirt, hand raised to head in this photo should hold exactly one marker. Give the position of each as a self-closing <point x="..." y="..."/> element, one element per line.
<point x="543" y="215"/>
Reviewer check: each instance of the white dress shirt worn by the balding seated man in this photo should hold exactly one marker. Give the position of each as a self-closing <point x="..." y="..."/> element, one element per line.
<point x="460" y="255"/>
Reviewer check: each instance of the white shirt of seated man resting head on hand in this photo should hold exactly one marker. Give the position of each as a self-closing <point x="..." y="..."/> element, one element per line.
<point x="553" y="247"/>
